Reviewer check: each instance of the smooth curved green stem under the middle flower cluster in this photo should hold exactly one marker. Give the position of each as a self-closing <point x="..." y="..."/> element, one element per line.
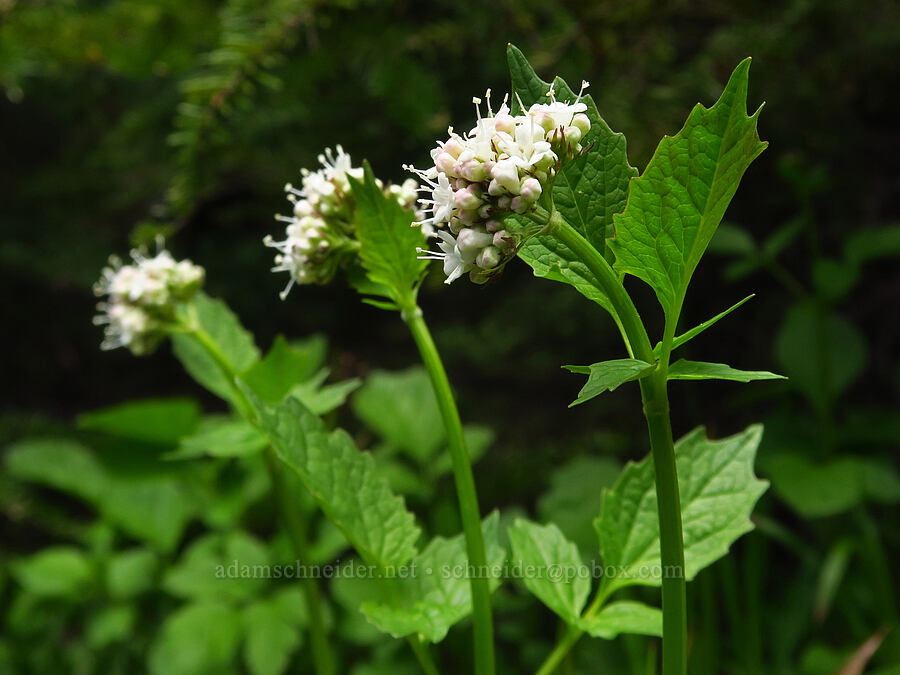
<point x="465" y="489"/>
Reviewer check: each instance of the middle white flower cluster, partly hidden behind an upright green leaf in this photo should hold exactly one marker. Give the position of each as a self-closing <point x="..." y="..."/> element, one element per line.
<point x="319" y="235"/>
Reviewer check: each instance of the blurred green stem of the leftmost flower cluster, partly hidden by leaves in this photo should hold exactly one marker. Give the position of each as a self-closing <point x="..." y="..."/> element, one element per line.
<point x="290" y="514"/>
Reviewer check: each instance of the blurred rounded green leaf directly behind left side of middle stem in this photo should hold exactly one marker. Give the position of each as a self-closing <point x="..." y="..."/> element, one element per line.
<point x="401" y="408"/>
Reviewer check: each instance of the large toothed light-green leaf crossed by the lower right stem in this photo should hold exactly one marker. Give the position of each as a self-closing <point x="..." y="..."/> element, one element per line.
<point x="718" y="492"/>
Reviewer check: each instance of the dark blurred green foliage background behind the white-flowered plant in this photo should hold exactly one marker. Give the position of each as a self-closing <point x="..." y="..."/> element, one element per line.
<point x="124" y="119"/>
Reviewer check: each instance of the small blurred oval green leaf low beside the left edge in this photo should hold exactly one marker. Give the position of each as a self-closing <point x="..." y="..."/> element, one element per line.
<point x="59" y="572"/>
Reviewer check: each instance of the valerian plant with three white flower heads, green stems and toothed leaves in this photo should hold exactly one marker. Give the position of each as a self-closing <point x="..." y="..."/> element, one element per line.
<point x="543" y="178"/>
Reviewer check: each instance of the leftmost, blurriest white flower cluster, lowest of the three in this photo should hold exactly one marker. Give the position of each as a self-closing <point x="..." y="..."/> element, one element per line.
<point x="142" y="298"/>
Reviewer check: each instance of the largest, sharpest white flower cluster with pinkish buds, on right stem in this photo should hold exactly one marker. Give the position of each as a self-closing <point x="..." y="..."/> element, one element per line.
<point x="500" y="167"/>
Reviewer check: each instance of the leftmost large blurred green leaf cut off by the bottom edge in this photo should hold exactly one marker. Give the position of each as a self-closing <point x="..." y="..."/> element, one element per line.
<point x="198" y="638"/>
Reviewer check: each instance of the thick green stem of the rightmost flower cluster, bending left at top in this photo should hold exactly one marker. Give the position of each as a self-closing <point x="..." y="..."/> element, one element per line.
<point x="656" y="411"/>
